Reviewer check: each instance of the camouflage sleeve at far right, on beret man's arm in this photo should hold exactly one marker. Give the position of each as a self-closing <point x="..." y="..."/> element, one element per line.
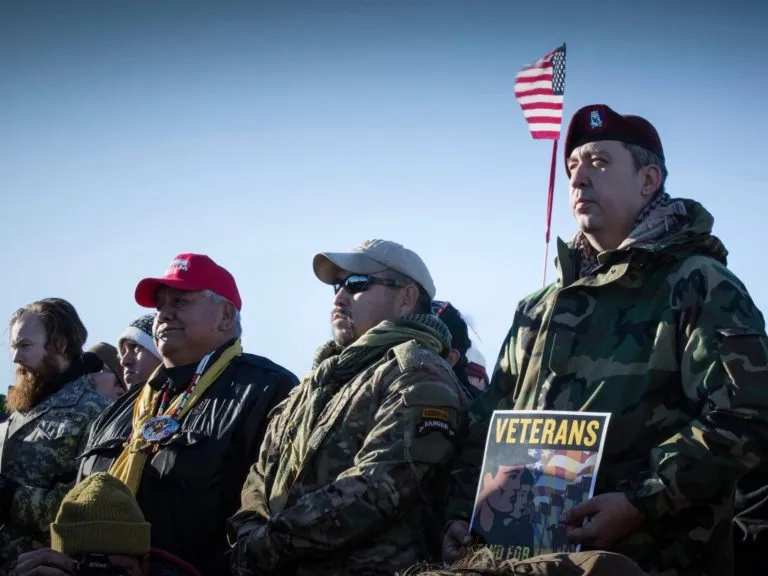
<point x="724" y="369"/>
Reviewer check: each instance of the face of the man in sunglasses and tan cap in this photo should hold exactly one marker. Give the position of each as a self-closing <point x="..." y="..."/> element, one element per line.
<point x="354" y="314"/>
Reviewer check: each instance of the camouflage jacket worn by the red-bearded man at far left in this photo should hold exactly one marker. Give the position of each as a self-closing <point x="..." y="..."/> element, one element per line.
<point x="38" y="451"/>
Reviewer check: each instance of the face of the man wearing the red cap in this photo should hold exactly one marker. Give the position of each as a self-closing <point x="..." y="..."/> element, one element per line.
<point x="187" y="325"/>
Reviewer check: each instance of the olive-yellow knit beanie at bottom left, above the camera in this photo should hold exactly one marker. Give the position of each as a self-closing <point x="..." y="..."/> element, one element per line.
<point x="100" y="516"/>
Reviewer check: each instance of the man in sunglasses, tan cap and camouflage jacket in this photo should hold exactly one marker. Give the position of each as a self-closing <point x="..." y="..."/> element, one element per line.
<point x="352" y="475"/>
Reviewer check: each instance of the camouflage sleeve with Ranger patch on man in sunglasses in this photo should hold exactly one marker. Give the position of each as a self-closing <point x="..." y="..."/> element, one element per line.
<point x="413" y="433"/>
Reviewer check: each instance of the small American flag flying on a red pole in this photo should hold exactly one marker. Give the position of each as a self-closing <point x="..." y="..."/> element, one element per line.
<point x="539" y="89"/>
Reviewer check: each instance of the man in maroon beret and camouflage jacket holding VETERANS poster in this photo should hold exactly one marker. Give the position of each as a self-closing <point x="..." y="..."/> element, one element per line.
<point x="644" y="321"/>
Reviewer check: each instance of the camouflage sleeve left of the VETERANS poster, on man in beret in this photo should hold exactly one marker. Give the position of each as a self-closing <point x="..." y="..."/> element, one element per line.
<point x="465" y="470"/>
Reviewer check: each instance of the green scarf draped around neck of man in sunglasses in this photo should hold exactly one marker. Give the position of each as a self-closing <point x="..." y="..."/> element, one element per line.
<point x="328" y="377"/>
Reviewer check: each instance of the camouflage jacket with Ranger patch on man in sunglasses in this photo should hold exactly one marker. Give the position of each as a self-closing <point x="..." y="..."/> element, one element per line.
<point x="363" y="495"/>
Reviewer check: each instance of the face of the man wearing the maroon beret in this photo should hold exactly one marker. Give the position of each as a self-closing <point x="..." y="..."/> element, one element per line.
<point x="606" y="191"/>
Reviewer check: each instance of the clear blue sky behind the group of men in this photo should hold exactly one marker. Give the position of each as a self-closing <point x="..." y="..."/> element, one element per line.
<point x="262" y="132"/>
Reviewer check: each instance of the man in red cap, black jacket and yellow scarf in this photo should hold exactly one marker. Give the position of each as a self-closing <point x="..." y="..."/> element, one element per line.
<point x="184" y="441"/>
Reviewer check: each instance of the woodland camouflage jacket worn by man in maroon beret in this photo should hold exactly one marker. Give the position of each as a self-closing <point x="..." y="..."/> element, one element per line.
<point x="667" y="339"/>
